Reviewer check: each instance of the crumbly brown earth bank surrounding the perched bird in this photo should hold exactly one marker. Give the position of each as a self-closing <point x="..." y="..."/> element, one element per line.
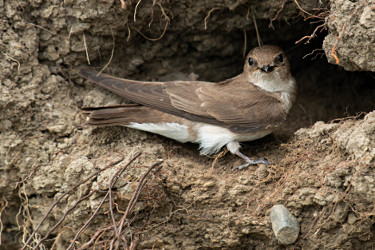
<point x="323" y="157"/>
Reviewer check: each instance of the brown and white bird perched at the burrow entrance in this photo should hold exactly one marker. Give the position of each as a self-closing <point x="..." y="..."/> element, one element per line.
<point x="246" y="107"/>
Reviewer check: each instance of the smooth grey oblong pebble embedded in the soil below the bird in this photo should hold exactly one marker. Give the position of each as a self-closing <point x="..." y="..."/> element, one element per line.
<point x="284" y="225"/>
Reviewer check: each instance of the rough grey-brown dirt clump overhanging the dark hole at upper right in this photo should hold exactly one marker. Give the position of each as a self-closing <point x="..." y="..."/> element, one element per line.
<point x="351" y="24"/>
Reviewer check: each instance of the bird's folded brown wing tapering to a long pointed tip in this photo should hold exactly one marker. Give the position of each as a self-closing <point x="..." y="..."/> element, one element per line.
<point x="234" y="104"/>
